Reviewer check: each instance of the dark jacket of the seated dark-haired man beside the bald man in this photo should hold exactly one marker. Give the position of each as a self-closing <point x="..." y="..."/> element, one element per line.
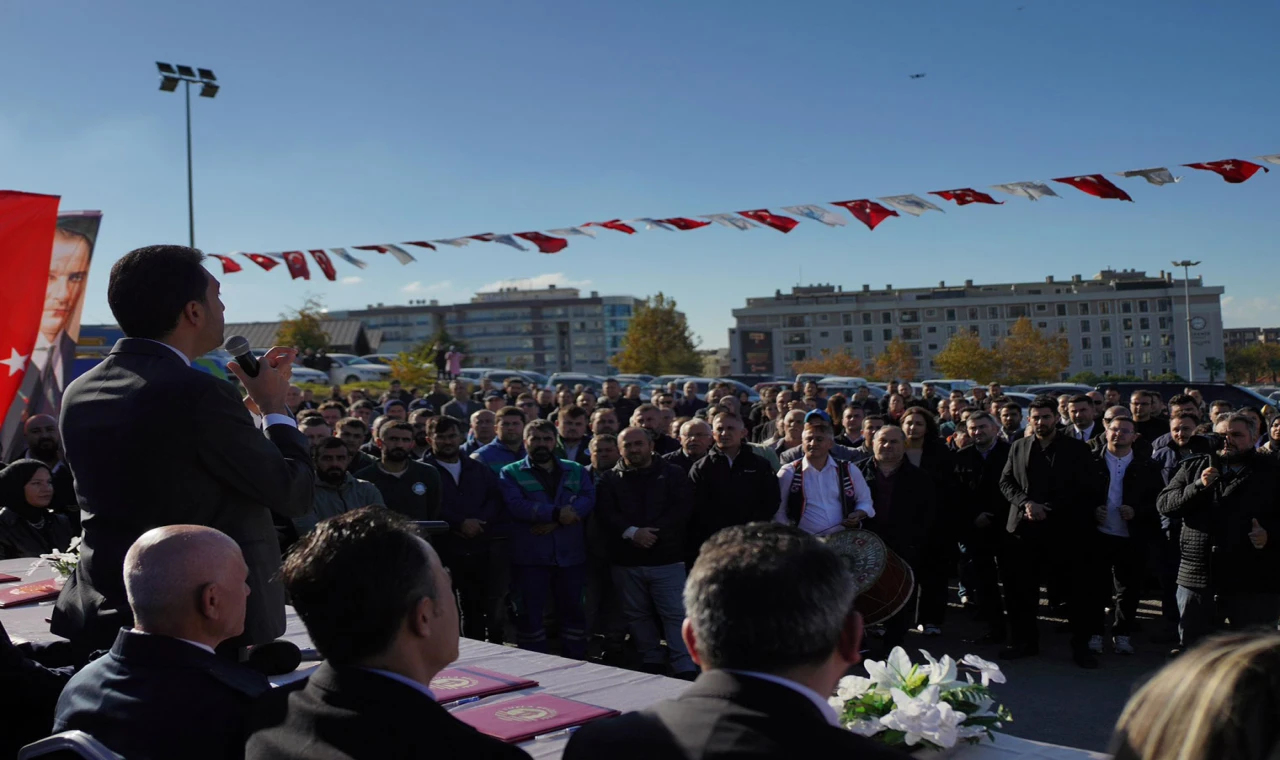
<point x="350" y="713"/>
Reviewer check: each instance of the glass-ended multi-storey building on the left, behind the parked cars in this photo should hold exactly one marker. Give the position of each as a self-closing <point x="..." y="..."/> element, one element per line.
<point x="547" y="331"/>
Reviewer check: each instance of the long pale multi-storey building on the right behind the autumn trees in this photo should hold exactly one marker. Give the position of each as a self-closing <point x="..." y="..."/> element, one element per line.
<point x="1118" y="323"/>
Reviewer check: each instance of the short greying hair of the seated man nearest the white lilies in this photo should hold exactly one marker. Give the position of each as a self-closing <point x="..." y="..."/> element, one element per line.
<point x="767" y="598"/>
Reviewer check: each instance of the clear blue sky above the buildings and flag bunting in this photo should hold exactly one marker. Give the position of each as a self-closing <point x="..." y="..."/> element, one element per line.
<point x="345" y="123"/>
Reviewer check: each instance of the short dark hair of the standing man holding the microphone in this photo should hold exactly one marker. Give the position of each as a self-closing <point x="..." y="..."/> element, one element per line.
<point x="150" y="289"/>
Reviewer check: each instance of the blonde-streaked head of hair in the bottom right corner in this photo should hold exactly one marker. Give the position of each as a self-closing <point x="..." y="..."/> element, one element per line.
<point x="1218" y="702"/>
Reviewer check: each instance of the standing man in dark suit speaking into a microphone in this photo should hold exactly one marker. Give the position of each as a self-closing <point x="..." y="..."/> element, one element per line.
<point x="153" y="442"/>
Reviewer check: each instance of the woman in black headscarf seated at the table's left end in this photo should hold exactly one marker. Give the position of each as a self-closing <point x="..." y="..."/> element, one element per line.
<point x="28" y="528"/>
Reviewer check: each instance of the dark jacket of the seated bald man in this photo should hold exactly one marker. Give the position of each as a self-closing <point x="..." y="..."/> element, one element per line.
<point x="158" y="698"/>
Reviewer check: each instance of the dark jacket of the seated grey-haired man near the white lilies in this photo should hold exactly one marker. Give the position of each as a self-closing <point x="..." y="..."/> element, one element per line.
<point x="724" y="716"/>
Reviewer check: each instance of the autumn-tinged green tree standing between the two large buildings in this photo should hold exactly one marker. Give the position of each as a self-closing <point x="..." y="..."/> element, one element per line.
<point x="659" y="341"/>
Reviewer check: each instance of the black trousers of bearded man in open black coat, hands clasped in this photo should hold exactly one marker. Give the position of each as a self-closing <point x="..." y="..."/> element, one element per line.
<point x="1030" y="561"/>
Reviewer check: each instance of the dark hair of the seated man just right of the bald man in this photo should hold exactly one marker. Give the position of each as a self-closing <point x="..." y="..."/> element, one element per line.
<point x="354" y="580"/>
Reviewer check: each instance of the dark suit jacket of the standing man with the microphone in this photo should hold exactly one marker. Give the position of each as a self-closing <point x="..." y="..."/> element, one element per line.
<point x="152" y="443"/>
